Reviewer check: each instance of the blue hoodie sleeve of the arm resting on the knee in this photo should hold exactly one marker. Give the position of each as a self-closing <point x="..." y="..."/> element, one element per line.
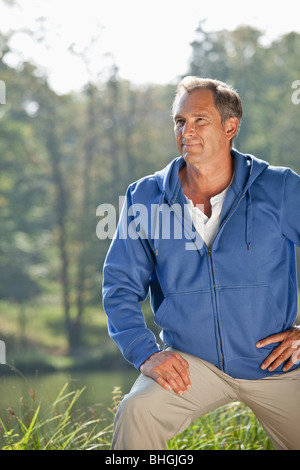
<point x="126" y="277"/>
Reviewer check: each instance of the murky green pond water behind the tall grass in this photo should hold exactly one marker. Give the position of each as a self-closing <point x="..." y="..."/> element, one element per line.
<point x="17" y="392"/>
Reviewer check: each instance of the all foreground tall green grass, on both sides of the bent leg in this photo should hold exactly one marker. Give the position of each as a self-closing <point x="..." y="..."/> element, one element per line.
<point x="64" y="426"/>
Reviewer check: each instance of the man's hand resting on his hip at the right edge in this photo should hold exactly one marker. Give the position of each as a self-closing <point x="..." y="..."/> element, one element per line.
<point x="288" y="350"/>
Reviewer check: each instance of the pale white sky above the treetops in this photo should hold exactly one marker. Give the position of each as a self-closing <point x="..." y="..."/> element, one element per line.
<point x="148" y="41"/>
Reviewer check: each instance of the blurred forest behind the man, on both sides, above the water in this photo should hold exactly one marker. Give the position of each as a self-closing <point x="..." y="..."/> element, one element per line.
<point x="61" y="156"/>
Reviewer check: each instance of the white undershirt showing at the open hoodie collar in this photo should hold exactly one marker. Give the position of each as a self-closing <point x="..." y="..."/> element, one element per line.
<point x="207" y="227"/>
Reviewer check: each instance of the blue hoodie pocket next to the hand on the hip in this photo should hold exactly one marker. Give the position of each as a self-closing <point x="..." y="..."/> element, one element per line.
<point x="247" y="315"/>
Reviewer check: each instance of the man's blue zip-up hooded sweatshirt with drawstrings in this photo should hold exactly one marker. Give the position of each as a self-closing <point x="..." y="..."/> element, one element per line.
<point x="214" y="303"/>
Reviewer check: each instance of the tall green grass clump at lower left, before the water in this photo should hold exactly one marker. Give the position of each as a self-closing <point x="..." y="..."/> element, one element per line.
<point x="61" y="427"/>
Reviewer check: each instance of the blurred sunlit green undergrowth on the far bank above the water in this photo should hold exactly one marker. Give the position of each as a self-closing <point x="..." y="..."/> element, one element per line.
<point x="36" y="340"/>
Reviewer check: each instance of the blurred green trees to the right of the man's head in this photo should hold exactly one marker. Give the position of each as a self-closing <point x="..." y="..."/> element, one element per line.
<point x="263" y="75"/>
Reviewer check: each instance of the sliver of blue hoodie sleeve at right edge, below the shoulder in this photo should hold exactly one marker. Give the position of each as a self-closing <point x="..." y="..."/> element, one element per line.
<point x="290" y="209"/>
